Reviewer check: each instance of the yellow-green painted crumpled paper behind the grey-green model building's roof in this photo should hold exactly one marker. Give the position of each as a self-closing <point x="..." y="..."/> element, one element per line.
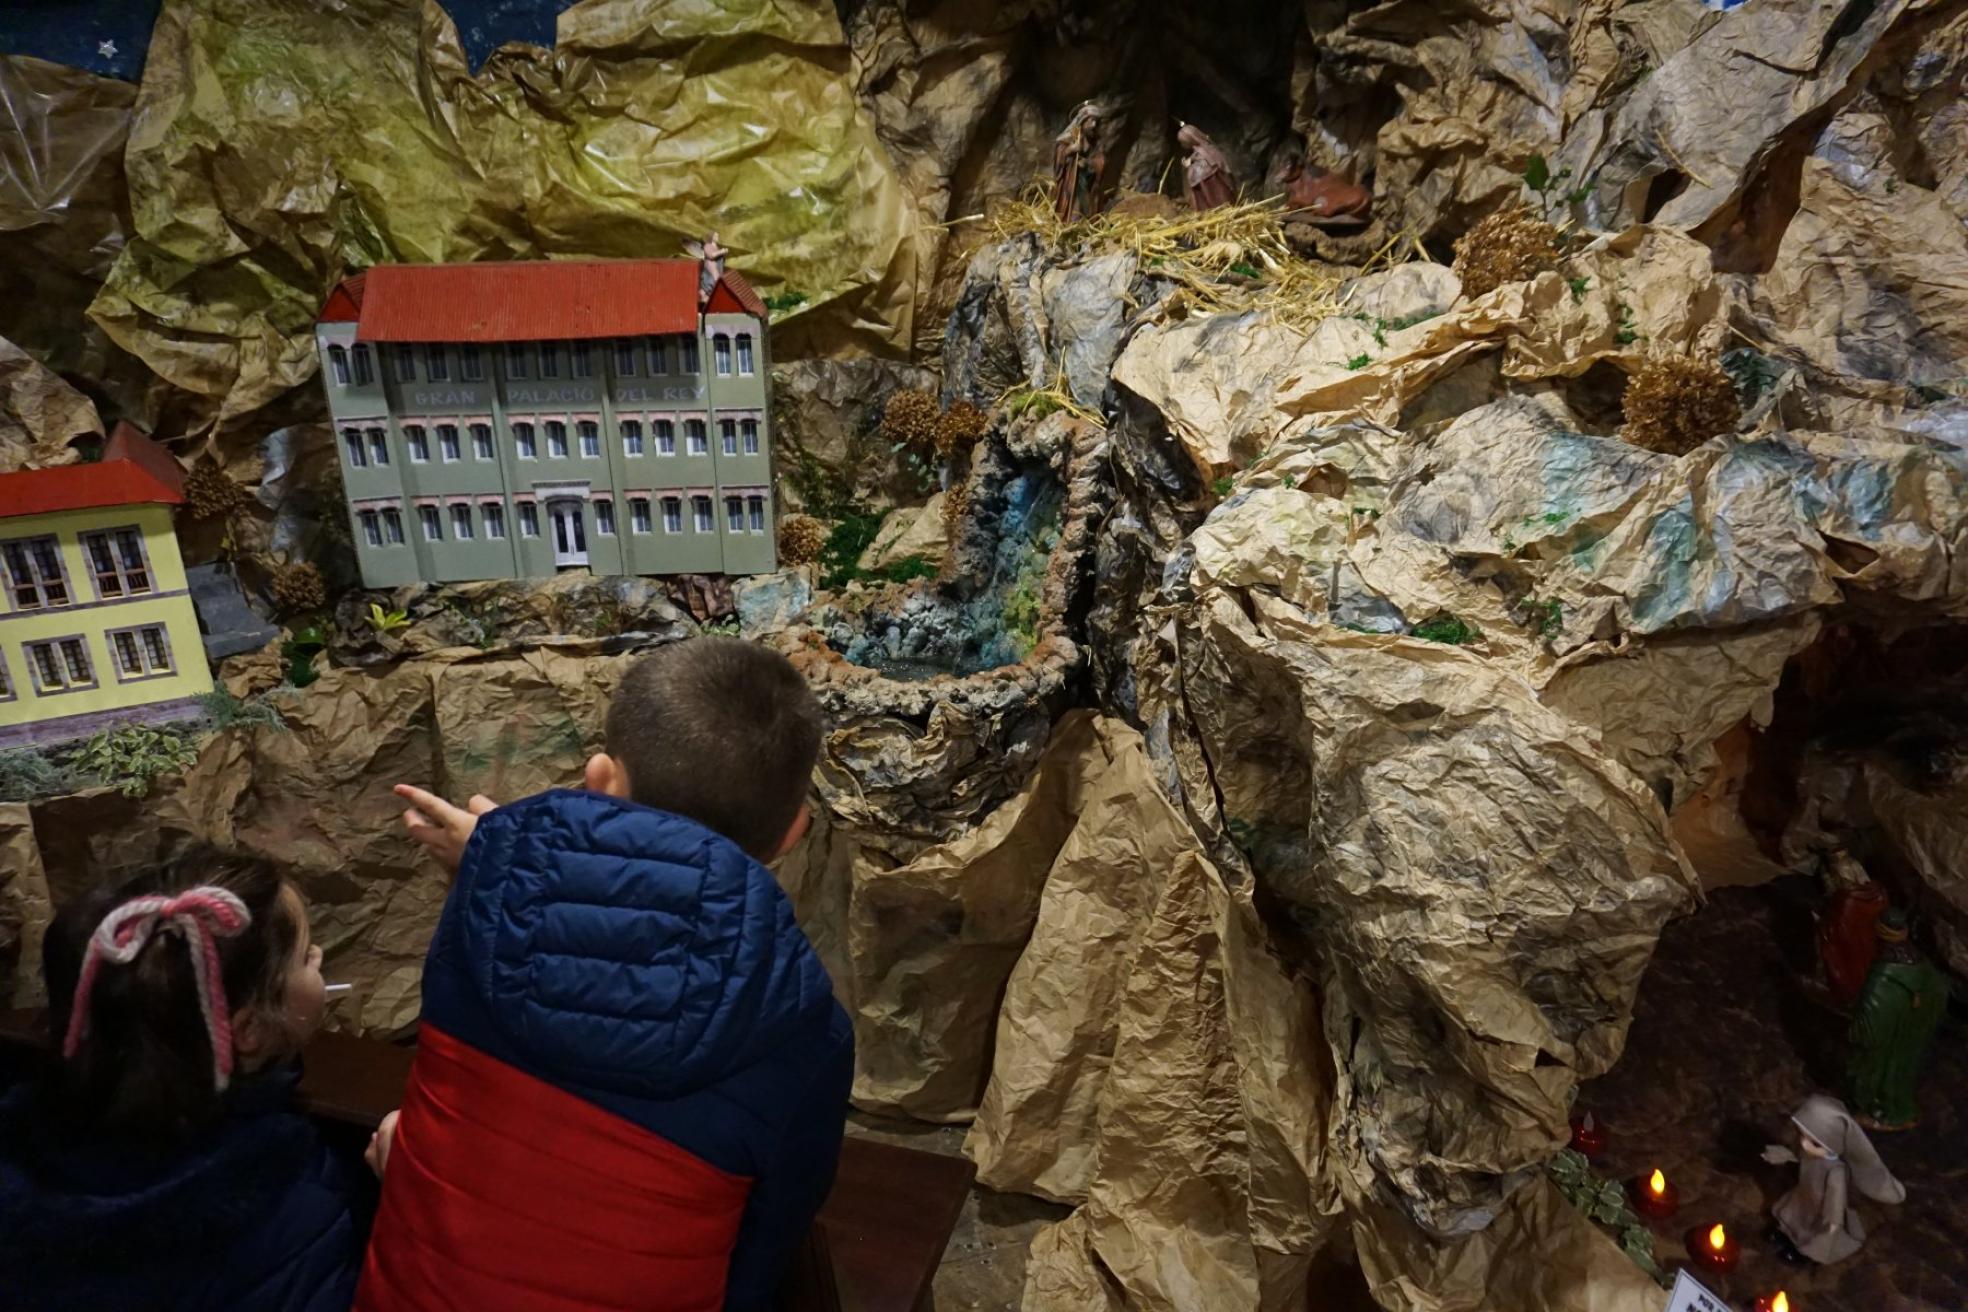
<point x="278" y="147"/>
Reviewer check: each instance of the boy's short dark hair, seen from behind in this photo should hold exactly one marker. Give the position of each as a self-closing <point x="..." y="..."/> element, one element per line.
<point x="723" y="733"/>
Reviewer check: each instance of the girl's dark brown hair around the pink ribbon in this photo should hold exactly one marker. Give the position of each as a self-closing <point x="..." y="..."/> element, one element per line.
<point x="145" y="1067"/>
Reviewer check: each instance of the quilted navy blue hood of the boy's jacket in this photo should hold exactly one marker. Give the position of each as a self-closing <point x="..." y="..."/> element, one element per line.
<point x="629" y="949"/>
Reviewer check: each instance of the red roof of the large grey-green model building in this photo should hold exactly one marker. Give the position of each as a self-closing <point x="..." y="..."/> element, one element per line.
<point x="524" y="300"/>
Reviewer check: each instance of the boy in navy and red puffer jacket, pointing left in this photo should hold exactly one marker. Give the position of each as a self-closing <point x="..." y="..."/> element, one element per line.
<point x="633" y="1077"/>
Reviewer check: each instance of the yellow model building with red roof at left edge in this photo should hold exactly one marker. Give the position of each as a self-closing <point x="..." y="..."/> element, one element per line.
<point x="95" y="621"/>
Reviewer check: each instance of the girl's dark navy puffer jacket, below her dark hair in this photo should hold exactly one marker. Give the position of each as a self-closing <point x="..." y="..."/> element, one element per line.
<point x="255" y="1217"/>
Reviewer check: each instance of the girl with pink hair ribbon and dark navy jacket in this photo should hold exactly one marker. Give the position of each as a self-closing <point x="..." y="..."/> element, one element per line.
<point x="158" y="1163"/>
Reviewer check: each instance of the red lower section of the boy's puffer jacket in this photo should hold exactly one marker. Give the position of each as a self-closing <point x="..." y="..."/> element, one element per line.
<point x="566" y="1207"/>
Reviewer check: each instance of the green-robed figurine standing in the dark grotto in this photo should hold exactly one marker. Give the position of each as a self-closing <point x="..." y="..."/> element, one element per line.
<point x="1894" y="1024"/>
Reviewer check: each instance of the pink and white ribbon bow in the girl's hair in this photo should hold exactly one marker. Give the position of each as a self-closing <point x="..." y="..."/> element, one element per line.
<point x="200" y="918"/>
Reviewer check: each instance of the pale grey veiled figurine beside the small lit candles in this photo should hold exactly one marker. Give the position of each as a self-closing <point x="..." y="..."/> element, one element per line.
<point x="1815" y="1221"/>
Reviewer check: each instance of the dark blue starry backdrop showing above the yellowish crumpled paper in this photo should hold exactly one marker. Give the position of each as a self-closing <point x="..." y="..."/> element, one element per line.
<point x="111" y="36"/>
